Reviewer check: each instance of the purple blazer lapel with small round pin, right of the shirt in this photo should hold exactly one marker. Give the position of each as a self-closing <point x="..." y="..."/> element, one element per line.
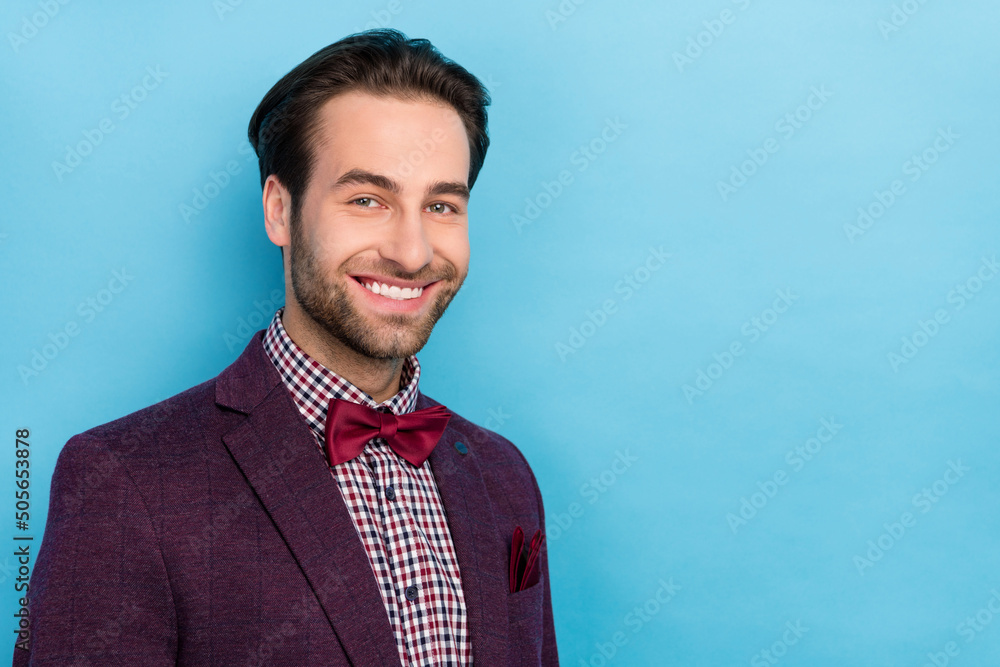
<point x="481" y="550"/>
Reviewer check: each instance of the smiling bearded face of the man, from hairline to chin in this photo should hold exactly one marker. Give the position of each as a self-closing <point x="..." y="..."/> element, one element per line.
<point x="386" y="204"/>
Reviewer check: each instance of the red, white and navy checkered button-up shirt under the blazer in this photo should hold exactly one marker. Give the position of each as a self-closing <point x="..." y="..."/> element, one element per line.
<point x="396" y="509"/>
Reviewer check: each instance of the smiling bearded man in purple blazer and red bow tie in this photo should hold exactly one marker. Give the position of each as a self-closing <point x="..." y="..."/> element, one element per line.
<point x="309" y="505"/>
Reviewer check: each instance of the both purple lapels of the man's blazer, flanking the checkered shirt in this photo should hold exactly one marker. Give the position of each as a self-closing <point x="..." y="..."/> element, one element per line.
<point x="276" y="452"/>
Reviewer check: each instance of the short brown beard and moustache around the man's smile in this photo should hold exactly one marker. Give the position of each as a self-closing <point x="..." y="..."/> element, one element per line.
<point x="329" y="304"/>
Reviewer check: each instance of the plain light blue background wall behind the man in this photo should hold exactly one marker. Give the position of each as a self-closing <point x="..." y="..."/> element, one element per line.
<point x="515" y="351"/>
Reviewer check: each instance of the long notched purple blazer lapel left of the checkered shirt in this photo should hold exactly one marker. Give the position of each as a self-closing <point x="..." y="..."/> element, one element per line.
<point x="277" y="453"/>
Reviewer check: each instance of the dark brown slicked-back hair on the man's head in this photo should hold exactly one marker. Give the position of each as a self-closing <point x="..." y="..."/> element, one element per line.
<point x="283" y="129"/>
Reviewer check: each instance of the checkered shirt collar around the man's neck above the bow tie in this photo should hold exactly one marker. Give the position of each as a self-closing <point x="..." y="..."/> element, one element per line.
<point x="312" y="385"/>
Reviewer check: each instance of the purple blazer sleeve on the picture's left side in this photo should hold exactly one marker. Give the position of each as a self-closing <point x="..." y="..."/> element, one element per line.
<point x="99" y="594"/>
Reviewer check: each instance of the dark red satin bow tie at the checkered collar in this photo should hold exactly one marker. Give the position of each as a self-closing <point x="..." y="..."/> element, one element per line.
<point x="350" y="425"/>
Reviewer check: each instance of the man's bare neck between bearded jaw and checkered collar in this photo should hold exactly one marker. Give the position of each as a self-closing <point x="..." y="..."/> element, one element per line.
<point x="379" y="378"/>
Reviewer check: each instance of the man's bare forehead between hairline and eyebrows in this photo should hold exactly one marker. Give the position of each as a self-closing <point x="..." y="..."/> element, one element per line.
<point x="421" y="140"/>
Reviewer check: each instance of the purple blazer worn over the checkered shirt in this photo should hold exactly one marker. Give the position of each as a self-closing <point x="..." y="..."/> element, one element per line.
<point x="207" y="530"/>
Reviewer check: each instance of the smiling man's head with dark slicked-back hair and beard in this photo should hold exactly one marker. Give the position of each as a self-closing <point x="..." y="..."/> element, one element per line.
<point x="367" y="151"/>
